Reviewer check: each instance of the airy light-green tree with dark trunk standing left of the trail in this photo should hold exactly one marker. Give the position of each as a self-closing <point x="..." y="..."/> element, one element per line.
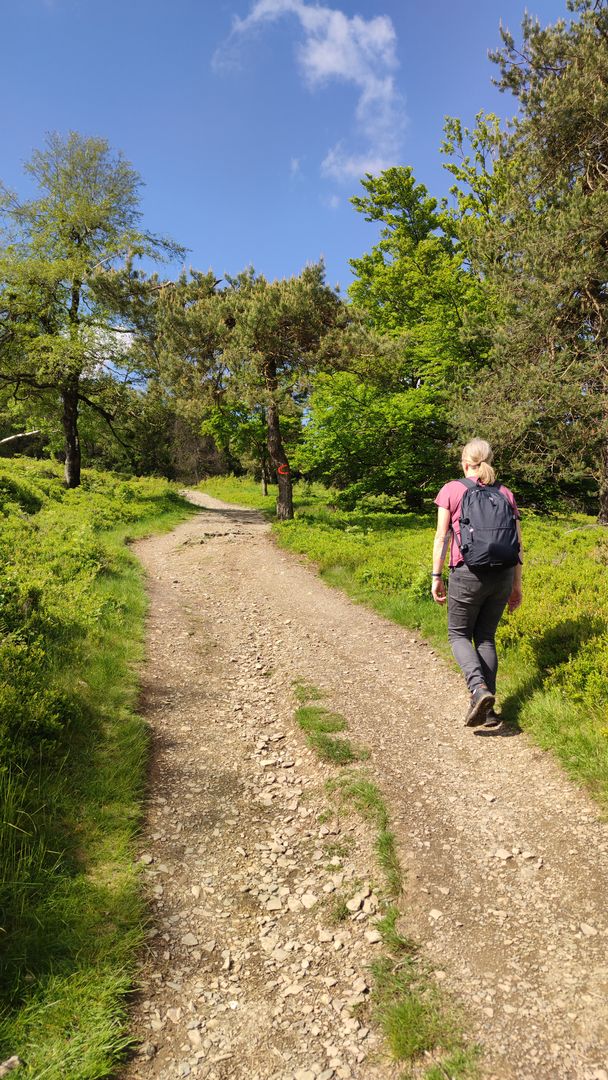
<point x="67" y="283"/>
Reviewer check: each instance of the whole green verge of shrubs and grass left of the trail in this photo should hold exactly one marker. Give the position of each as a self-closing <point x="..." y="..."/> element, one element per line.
<point x="72" y="614"/>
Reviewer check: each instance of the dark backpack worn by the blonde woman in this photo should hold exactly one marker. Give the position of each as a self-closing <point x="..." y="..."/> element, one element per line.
<point x="489" y="528"/>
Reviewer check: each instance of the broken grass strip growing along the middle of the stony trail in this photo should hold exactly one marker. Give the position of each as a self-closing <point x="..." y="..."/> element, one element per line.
<point x="420" y="1025"/>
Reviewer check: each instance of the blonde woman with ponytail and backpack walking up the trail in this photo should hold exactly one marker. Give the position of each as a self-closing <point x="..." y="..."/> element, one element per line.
<point x="478" y="592"/>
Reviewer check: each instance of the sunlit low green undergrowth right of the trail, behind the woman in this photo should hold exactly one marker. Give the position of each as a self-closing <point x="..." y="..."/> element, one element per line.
<point x="553" y="680"/>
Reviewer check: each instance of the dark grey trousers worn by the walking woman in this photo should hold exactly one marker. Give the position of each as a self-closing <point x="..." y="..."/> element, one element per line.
<point x="475" y="606"/>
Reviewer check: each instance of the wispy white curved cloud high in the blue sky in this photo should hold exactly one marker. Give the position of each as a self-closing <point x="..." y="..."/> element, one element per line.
<point x="355" y="50"/>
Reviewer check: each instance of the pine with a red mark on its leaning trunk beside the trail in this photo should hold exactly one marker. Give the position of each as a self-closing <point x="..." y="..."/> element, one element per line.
<point x="254" y="347"/>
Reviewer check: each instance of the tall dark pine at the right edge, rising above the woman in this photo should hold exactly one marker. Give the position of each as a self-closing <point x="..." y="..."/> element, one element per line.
<point x="544" y="252"/>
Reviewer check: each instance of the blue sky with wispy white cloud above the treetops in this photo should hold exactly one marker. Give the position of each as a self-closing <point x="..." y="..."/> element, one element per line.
<point x="251" y="121"/>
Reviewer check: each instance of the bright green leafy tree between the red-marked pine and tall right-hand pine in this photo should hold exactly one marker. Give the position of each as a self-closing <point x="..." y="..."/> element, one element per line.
<point x="383" y="426"/>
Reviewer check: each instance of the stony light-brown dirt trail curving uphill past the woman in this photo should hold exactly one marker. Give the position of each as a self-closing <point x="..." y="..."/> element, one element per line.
<point x="506" y="861"/>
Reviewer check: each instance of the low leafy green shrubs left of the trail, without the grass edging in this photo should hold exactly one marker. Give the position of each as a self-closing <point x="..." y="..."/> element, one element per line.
<point x="51" y="557"/>
